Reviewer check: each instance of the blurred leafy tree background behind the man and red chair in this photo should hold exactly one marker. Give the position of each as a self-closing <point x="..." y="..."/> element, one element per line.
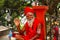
<point x="9" y="9"/>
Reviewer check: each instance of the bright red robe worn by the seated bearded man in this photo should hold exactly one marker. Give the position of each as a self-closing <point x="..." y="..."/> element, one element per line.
<point x="31" y="32"/>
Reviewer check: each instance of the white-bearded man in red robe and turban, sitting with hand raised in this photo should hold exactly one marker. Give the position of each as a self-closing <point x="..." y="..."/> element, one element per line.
<point x="32" y="28"/>
